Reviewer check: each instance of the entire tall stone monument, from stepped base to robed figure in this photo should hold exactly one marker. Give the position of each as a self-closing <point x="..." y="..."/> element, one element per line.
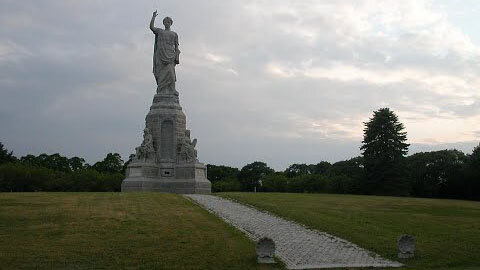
<point x="166" y="160"/>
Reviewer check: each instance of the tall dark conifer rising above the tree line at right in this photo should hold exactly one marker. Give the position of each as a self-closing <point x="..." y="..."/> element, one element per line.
<point x="384" y="149"/>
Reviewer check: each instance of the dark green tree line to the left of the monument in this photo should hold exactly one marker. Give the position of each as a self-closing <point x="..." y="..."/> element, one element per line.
<point x="58" y="173"/>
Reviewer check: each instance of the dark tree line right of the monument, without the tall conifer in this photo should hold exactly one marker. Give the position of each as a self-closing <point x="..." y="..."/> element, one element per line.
<point x="437" y="174"/>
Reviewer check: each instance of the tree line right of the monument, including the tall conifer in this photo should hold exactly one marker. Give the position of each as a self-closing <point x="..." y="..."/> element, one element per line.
<point x="383" y="169"/>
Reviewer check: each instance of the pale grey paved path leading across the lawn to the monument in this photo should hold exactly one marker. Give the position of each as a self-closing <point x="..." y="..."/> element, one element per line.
<point x="297" y="246"/>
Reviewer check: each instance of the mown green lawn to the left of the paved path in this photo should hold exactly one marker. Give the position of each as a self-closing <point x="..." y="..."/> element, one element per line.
<point x="116" y="231"/>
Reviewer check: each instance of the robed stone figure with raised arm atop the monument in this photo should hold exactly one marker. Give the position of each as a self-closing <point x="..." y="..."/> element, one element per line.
<point x="165" y="56"/>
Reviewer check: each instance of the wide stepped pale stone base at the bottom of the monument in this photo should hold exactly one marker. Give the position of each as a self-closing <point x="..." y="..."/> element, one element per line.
<point x="168" y="178"/>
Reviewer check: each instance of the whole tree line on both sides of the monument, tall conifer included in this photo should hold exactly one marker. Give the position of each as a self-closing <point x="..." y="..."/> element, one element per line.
<point x="383" y="169"/>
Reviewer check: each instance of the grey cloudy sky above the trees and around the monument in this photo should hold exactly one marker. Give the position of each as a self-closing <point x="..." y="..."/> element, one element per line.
<point x="277" y="81"/>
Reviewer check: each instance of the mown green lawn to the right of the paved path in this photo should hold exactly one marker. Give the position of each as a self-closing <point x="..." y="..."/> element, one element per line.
<point x="447" y="231"/>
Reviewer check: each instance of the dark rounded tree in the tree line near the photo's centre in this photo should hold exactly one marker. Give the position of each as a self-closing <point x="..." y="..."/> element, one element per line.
<point x="251" y="175"/>
